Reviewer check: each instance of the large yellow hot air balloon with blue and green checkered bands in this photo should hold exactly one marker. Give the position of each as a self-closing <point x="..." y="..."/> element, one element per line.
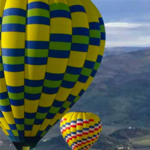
<point x="49" y="54"/>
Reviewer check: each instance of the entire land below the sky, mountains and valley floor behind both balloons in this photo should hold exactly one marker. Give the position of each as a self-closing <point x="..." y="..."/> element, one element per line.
<point x="120" y="95"/>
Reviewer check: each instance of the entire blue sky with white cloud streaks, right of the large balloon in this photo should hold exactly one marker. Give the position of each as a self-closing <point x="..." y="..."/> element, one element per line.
<point x="127" y="22"/>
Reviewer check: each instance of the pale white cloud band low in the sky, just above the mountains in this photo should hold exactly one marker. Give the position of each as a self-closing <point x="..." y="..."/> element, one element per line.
<point x="127" y="34"/>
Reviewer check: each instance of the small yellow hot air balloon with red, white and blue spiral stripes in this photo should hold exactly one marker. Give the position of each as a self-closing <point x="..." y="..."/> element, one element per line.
<point x="80" y="129"/>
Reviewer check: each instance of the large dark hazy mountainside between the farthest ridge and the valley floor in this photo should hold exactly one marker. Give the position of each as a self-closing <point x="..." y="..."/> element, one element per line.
<point x="120" y="91"/>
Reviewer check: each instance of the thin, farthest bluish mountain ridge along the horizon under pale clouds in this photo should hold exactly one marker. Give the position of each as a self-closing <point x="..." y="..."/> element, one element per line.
<point x="120" y="50"/>
